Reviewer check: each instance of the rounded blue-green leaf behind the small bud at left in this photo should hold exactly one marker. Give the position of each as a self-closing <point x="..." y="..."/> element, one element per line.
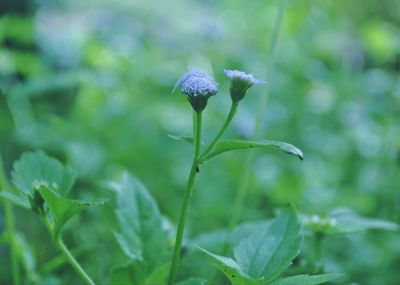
<point x="36" y="168"/>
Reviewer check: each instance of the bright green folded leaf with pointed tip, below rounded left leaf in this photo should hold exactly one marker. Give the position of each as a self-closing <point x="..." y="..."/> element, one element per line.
<point x="62" y="209"/>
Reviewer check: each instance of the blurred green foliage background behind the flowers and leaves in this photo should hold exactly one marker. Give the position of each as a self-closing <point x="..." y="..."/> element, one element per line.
<point x="90" y="82"/>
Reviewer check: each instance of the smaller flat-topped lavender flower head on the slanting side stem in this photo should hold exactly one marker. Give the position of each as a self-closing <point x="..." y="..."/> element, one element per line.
<point x="240" y="83"/>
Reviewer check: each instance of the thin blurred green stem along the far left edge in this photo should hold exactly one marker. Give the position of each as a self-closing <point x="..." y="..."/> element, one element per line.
<point x="10" y="223"/>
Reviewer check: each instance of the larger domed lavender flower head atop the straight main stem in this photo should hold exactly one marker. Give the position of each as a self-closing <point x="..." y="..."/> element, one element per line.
<point x="198" y="86"/>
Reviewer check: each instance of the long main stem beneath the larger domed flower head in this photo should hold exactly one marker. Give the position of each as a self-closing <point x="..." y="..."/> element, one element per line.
<point x="185" y="204"/>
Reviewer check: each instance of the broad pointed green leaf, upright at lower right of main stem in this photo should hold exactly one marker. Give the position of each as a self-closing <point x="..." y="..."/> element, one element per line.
<point x="270" y="251"/>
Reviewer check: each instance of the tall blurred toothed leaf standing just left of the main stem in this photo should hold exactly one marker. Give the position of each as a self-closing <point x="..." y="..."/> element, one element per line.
<point x="142" y="236"/>
